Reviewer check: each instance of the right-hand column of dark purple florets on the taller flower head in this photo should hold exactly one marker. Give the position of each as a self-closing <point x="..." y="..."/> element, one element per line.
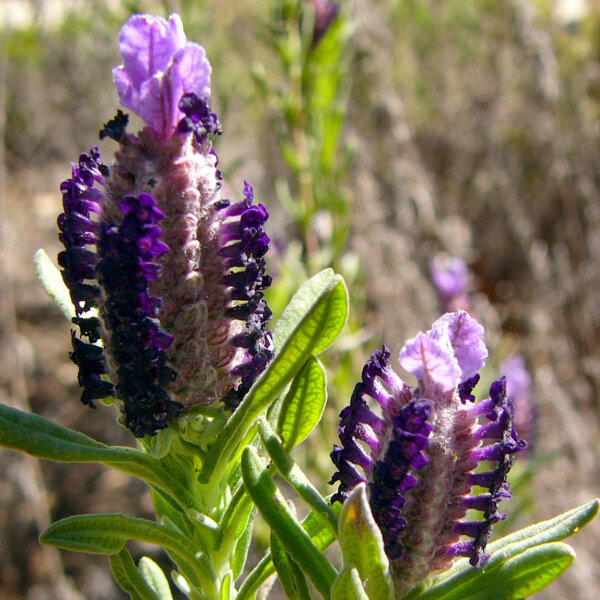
<point x="244" y="242"/>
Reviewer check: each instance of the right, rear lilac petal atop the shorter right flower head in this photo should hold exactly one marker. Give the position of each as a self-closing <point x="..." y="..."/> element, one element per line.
<point x="466" y="337"/>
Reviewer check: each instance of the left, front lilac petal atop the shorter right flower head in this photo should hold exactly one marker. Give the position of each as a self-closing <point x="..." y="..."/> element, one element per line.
<point x="431" y="361"/>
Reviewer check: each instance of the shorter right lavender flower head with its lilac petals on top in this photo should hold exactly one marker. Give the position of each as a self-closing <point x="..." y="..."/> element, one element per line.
<point x="420" y="457"/>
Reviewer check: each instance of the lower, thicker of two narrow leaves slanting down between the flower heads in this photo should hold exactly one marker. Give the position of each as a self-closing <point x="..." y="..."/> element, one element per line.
<point x="294" y="539"/>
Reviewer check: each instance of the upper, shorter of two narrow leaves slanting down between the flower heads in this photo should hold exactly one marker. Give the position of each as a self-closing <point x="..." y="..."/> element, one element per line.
<point x="292" y="473"/>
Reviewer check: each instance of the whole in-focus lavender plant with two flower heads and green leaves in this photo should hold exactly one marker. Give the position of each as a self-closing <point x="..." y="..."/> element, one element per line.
<point x="164" y="279"/>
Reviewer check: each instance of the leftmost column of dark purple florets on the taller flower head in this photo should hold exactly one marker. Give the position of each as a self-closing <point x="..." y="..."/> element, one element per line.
<point x="79" y="231"/>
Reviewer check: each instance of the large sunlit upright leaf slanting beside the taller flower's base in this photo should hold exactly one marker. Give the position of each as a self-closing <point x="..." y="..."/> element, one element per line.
<point x="313" y="319"/>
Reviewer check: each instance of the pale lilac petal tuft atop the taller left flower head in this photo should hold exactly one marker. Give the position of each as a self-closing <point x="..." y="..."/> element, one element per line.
<point x="159" y="67"/>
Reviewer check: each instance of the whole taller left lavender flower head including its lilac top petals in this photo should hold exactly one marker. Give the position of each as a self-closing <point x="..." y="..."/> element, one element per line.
<point x="174" y="272"/>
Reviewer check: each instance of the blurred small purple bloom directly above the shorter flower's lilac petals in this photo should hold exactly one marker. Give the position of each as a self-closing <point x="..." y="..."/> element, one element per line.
<point x="452" y="279"/>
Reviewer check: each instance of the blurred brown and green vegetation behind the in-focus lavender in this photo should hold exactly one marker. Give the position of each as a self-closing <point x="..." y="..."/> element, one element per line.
<point x="411" y="127"/>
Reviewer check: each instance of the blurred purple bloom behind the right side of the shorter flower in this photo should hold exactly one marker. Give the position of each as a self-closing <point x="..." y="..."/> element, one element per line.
<point x="518" y="391"/>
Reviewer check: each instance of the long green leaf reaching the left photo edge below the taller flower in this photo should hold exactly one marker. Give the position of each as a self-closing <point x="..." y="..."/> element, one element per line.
<point x="42" y="438"/>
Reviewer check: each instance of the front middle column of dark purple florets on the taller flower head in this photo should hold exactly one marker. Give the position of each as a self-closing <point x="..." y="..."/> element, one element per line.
<point x="126" y="269"/>
